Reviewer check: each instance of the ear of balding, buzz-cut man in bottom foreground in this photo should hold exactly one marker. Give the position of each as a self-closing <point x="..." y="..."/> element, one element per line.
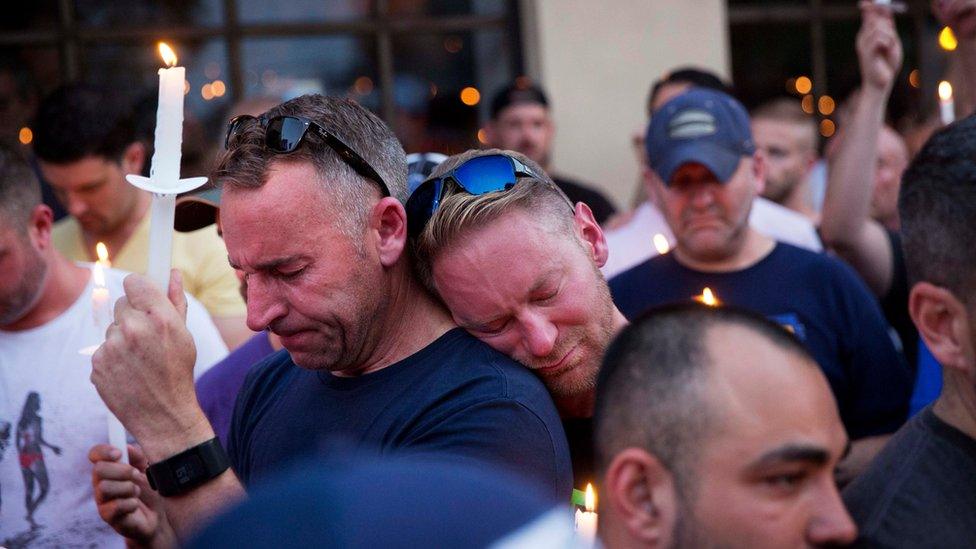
<point x="642" y="498"/>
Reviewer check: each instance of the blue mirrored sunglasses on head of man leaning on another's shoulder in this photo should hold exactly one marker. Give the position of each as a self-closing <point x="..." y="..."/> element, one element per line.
<point x="477" y="176"/>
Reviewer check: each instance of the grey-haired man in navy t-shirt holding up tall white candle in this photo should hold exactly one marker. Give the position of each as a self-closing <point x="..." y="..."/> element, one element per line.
<point x="311" y="212"/>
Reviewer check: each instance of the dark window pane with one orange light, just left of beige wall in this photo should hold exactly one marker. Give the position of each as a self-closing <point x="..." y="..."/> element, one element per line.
<point x="432" y="71"/>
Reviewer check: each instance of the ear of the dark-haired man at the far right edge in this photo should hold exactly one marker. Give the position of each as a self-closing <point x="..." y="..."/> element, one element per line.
<point x="943" y="323"/>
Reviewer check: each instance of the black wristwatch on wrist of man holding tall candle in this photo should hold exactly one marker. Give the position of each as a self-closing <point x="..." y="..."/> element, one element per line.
<point x="187" y="470"/>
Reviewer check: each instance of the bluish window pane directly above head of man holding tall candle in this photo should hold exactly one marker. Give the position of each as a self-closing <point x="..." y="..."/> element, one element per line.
<point x="289" y="67"/>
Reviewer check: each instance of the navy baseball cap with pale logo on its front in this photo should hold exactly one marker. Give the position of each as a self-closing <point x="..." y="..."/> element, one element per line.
<point x="703" y="126"/>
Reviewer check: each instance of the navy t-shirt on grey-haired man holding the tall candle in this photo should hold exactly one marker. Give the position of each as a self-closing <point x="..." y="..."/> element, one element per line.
<point x="456" y="397"/>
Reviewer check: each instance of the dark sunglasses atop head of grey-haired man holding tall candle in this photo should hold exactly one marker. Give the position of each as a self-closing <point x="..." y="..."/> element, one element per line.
<point x="284" y="134"/>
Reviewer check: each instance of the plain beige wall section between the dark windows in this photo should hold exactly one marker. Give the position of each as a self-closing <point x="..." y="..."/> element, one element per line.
<point x="597" y="60"/>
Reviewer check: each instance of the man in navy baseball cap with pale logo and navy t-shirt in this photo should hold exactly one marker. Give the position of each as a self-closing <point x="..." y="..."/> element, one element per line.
<point x="705" y="172"/>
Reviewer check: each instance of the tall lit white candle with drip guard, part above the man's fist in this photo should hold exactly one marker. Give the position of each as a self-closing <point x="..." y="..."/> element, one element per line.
<point x="164" y="174"/>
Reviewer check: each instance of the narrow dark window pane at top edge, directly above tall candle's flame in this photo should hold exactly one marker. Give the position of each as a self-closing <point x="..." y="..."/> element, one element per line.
<point x="155" y="13"/>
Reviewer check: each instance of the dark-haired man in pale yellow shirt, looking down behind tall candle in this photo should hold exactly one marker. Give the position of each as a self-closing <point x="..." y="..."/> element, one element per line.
<point x="86" y="144"/>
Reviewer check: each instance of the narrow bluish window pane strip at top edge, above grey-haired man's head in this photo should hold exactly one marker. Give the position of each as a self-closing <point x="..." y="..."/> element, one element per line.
<point x="302" y="11"/>
